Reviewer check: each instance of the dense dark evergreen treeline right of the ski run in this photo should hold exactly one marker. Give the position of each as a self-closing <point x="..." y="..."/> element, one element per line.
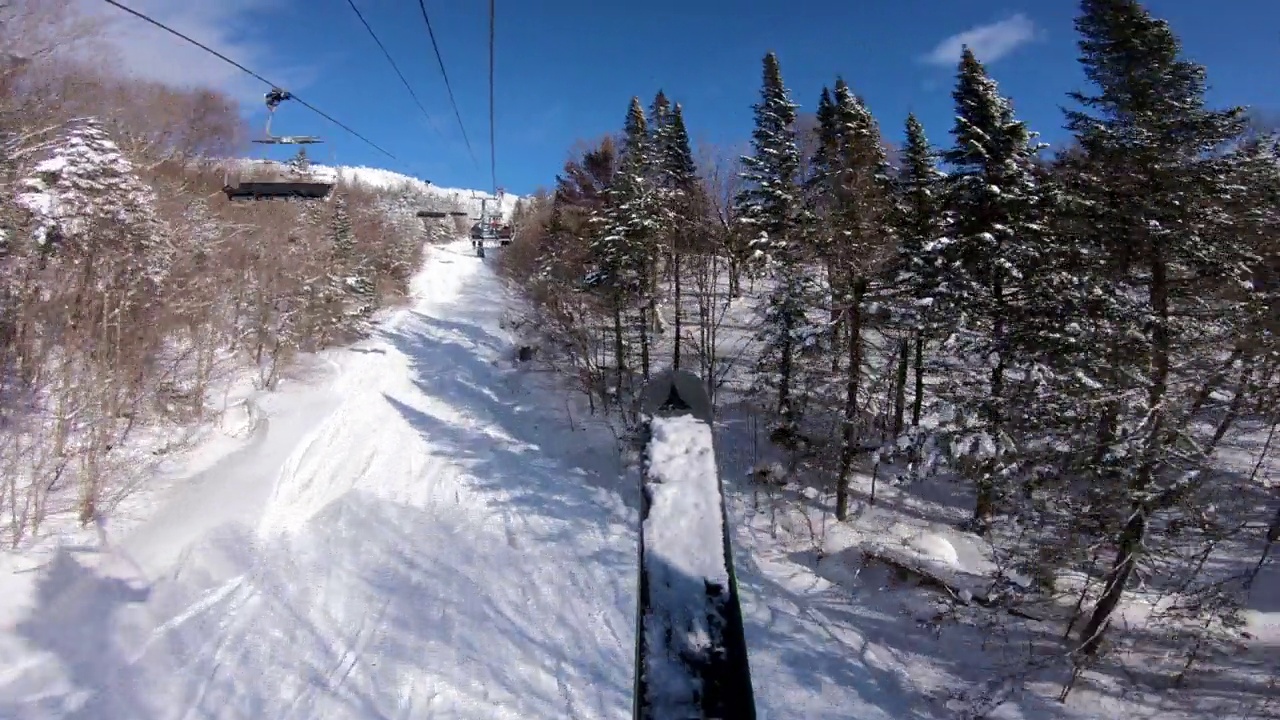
<point x="1080" y="336"/>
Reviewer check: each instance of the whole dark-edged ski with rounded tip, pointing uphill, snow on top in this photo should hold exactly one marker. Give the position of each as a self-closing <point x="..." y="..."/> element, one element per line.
<point x="691" y="651"/>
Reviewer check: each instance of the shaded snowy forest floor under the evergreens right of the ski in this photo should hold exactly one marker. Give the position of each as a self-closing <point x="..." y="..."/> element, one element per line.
<point x="861" y="582"/>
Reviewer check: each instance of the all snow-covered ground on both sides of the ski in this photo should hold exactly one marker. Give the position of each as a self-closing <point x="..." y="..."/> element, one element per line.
<point x="419" y="527"/>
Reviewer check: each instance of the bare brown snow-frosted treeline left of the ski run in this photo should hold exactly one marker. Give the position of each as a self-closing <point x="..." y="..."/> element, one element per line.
<point x="132" y="291"/>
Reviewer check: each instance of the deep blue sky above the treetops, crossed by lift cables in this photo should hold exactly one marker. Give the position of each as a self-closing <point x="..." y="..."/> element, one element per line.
<point x="566" y="70"/>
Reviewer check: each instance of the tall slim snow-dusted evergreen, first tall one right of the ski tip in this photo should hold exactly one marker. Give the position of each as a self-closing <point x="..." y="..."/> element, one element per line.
<point x="770" y="207"/>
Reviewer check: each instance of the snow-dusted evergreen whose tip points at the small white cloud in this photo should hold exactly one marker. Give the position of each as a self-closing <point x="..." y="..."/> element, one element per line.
<point x="993" y="227"/>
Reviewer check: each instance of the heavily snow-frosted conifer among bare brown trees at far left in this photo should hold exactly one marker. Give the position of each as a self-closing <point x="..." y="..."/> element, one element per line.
<point x="97" y="227"/>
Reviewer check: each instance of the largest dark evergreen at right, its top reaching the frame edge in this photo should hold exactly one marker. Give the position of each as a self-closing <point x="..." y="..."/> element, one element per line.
<point x="1172" y="275"/>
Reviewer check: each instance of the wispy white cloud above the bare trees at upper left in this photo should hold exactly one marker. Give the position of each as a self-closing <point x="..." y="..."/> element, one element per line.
<point x="147" y="52"/>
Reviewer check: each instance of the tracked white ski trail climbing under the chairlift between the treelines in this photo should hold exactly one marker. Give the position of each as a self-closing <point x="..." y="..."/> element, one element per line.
<point x="418" y="536"/>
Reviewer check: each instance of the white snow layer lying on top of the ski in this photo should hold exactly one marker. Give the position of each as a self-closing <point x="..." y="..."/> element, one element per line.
<point x="684" y="558"/>
